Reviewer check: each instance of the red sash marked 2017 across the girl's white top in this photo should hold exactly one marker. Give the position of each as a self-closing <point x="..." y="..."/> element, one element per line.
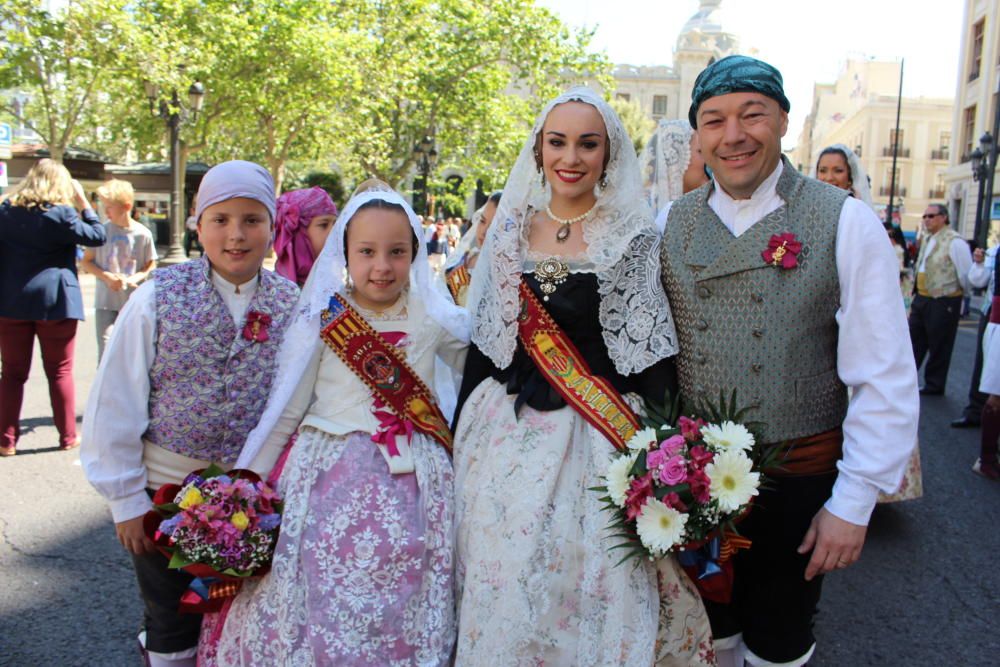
<point x="383" y="368"/>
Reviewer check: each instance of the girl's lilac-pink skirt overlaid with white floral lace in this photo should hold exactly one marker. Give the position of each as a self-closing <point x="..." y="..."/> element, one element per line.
<point x="362" y="573"/>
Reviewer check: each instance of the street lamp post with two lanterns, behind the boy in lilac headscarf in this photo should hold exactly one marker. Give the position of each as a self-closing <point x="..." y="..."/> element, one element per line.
<point x="175" y="115"/>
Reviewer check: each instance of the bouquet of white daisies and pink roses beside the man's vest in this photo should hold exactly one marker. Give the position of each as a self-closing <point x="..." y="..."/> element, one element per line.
<point x="682" y="489"/>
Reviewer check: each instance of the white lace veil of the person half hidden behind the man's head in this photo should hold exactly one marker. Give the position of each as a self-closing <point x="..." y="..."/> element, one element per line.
<point x="664" y="161"/>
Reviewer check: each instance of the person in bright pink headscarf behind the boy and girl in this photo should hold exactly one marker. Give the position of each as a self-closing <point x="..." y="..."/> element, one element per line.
<point x="304" y="219"/>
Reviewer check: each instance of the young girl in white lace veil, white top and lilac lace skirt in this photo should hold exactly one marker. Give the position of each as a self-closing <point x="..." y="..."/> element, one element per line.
<point x="363" y="569"/>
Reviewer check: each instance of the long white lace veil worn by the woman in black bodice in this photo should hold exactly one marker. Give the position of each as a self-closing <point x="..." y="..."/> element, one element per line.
<point x="622" y="243"/>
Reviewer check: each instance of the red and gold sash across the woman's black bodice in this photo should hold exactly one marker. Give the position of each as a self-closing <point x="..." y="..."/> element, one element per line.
<point x="565" y="369"/>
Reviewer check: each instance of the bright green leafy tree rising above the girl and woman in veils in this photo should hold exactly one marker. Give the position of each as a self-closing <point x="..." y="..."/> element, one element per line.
<point x="452" y="70"/>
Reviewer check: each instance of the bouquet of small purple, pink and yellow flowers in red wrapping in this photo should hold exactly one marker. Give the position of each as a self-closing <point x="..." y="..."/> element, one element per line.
<point x="221" y="527"/>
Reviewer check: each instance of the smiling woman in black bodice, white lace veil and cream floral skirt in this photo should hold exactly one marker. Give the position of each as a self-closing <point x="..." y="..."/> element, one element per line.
<point x="535" y="579"/>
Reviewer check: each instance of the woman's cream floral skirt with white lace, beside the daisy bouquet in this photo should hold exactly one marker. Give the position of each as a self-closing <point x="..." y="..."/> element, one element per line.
<point x="536" y="583"/>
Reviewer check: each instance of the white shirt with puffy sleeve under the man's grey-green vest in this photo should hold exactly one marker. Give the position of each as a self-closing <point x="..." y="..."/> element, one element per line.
<point x="873" y="352"/>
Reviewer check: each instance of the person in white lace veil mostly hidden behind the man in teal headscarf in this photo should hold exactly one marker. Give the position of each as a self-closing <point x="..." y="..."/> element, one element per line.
<point x="672" y="164"/>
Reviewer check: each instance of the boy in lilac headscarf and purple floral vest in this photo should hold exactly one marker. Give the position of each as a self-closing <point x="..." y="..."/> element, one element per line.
<point x="183" y="381"/>
